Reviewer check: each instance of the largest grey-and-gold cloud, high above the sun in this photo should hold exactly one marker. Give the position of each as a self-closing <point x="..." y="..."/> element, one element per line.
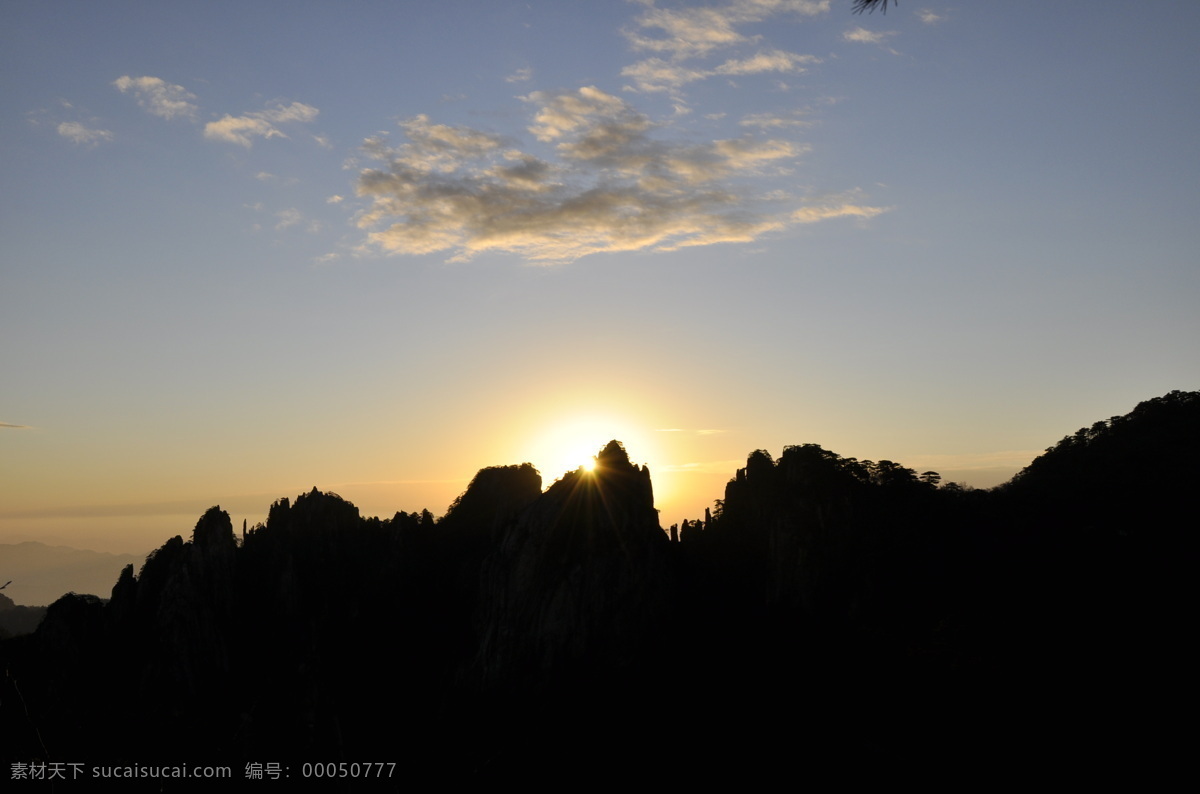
<point x="614" y="187"/>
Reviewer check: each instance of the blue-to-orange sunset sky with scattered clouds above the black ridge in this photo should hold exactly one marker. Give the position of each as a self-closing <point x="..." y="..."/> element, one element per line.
<point x="373" y="248"/>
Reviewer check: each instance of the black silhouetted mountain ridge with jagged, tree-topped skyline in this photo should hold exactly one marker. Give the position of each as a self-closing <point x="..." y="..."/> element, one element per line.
<point x="833" y="616"/>
